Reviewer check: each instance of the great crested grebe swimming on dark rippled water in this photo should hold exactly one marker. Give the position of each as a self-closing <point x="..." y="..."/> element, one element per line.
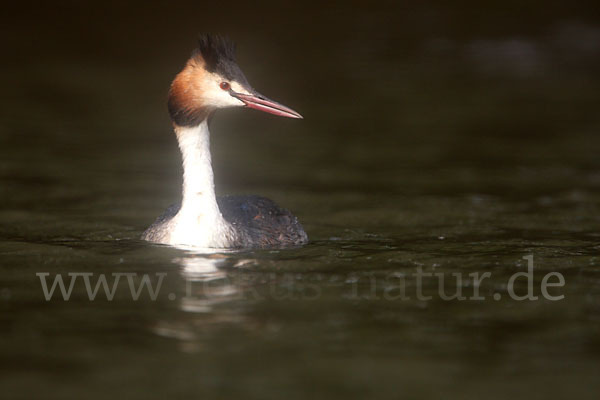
<point x="211" y="79"/>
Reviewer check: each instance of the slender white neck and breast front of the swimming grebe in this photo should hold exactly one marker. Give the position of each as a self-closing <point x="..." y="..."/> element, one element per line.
<point x="199" y="221"/>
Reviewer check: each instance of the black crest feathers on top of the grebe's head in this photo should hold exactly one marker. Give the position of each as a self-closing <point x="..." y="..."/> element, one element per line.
<point x="218" y="53"/>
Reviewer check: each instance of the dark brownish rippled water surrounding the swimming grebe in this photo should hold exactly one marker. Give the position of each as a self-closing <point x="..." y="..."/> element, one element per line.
<point x="441" y="139"/>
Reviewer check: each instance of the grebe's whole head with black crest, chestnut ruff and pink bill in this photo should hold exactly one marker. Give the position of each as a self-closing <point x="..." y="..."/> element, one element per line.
<point x="212" y="79"/>
